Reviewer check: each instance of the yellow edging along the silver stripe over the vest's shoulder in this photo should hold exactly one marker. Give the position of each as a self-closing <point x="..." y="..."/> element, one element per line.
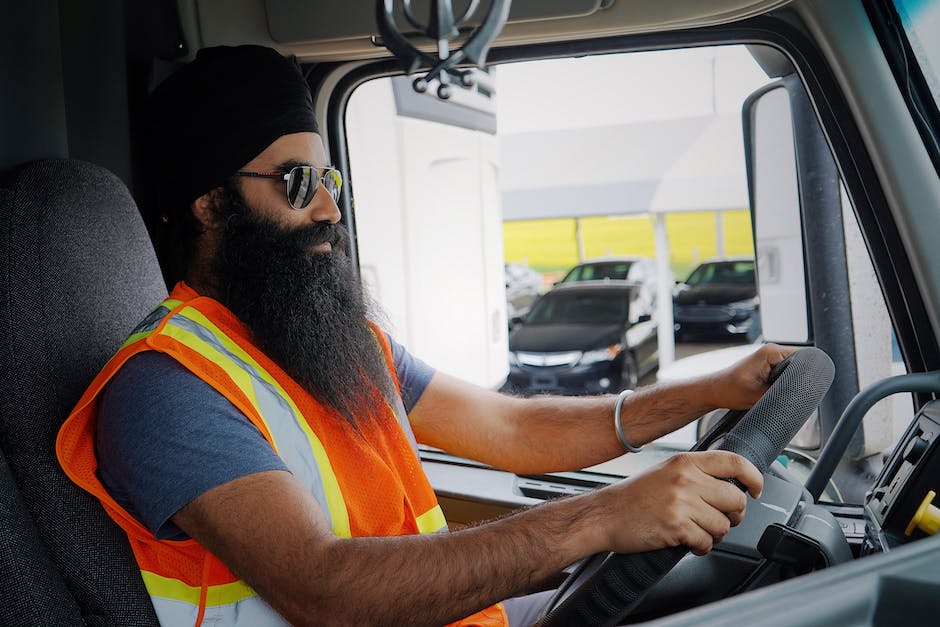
<point x="331" y="489"/>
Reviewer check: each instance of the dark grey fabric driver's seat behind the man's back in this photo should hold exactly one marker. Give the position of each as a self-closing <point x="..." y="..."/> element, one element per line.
<point x="77" y="272"/>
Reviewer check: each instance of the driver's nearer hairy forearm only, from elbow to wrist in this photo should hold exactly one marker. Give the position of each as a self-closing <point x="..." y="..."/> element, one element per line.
<point x="431" y="579"/>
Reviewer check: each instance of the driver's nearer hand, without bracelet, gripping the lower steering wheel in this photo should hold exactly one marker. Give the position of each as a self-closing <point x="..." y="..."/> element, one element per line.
<point x="685" y="500"/>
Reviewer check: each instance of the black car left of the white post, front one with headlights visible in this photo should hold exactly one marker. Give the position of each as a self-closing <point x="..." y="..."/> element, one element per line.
<point x="583" y="338"/>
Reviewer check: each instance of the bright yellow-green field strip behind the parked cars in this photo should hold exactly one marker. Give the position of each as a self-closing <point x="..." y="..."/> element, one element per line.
<point x="550" y="246"/>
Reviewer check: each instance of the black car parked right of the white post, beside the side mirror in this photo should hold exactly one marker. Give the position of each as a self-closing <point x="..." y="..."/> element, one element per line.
<point x="718" y="299"/>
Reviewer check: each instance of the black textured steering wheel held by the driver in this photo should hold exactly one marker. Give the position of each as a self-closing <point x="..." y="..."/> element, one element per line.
<point x="607" y="587"/>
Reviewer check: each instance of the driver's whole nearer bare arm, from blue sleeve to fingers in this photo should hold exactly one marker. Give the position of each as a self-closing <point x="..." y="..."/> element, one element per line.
<point x="271" y="532"/>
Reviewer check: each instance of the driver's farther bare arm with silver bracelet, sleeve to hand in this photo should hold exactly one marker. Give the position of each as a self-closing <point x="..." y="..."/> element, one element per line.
<point x="546" y="434"/>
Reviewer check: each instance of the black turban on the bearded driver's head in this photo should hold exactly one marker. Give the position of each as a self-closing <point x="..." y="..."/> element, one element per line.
<point x="216" y="114"/>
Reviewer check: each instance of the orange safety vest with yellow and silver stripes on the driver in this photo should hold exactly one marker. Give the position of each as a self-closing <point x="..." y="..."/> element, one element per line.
<point x="373" y="487"/>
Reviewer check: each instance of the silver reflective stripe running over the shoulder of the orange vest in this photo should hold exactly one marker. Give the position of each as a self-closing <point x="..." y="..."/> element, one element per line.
<point x="292" y="444"/>
